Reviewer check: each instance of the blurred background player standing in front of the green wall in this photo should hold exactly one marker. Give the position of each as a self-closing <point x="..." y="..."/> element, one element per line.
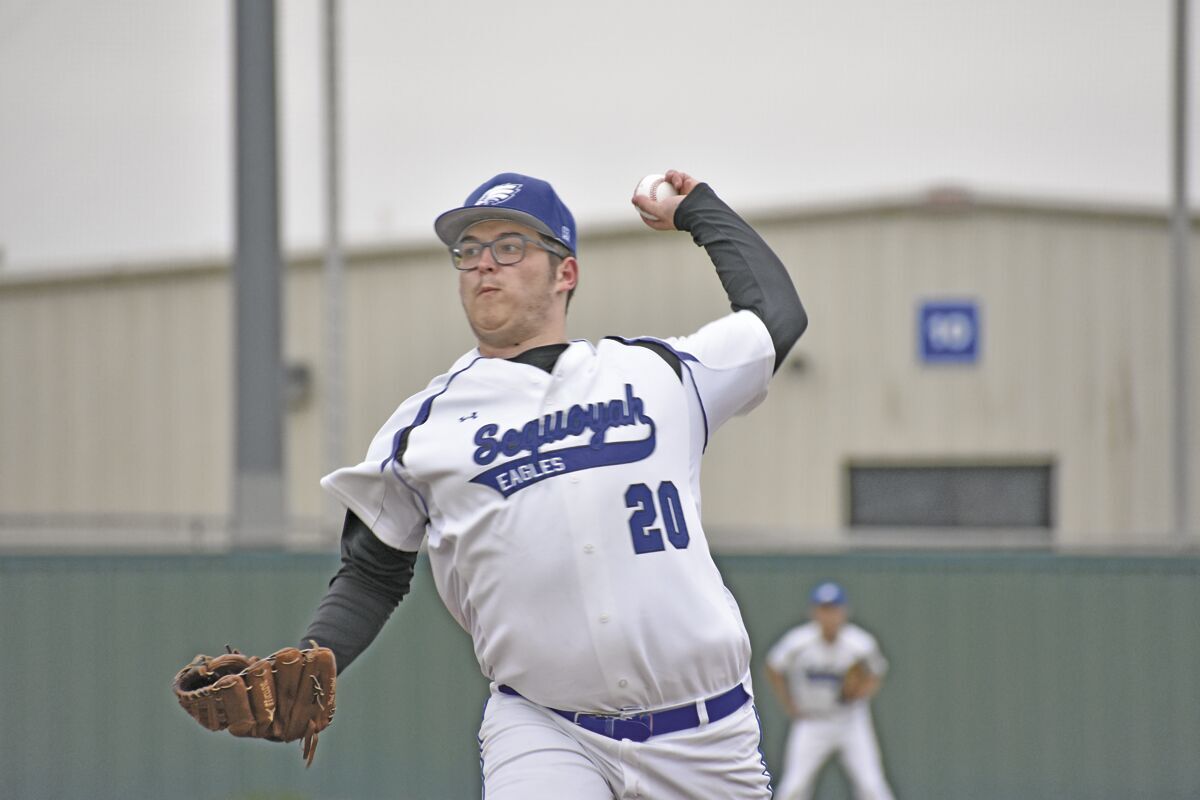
<point x="808" y="670"/>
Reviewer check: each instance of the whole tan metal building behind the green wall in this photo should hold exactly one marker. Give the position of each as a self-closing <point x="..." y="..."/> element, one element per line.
<point x="977" y="371"/>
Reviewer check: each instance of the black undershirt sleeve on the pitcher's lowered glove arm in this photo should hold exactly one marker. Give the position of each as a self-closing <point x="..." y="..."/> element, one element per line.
<point x="363" y="596"/>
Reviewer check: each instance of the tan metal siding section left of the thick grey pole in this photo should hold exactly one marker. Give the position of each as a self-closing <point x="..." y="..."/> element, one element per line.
<point x="115" y="400"/>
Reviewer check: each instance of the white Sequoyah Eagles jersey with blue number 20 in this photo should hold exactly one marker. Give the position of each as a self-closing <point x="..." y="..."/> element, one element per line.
<point x="562" y="514"/>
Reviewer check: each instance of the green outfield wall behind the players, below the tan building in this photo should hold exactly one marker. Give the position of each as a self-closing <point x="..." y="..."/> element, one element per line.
<point x="1013" y="677"/>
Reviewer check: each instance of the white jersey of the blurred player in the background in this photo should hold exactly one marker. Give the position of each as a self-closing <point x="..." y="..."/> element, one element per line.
<point x="815" y="667"/>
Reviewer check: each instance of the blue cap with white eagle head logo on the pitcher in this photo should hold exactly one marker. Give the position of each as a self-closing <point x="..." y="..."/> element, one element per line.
<point x="511" y="196"/>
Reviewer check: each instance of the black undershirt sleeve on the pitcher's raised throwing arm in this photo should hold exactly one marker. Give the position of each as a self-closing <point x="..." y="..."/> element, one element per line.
<point x="752" y="274"/>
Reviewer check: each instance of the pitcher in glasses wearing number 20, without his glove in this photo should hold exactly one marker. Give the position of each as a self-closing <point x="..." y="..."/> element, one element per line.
<point x="556" y="485"/>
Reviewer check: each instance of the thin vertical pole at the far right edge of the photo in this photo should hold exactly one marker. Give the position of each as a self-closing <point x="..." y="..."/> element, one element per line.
<point x="1181" y="236"/>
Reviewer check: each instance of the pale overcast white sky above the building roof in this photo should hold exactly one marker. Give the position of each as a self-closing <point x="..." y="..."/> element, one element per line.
<point x="117" y="128"/>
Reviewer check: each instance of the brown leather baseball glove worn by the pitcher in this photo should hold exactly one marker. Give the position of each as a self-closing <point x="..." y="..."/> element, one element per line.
<point x="287" y="696"/>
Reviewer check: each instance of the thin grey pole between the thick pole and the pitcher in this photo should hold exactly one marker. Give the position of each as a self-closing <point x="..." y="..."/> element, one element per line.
<point x="335" y="280"/>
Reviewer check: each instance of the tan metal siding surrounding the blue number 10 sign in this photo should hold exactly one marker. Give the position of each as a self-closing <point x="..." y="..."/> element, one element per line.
<point x="1073" y="369"/>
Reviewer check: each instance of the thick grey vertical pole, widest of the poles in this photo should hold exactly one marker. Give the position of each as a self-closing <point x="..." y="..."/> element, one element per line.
<point x="260" y="512"/>
